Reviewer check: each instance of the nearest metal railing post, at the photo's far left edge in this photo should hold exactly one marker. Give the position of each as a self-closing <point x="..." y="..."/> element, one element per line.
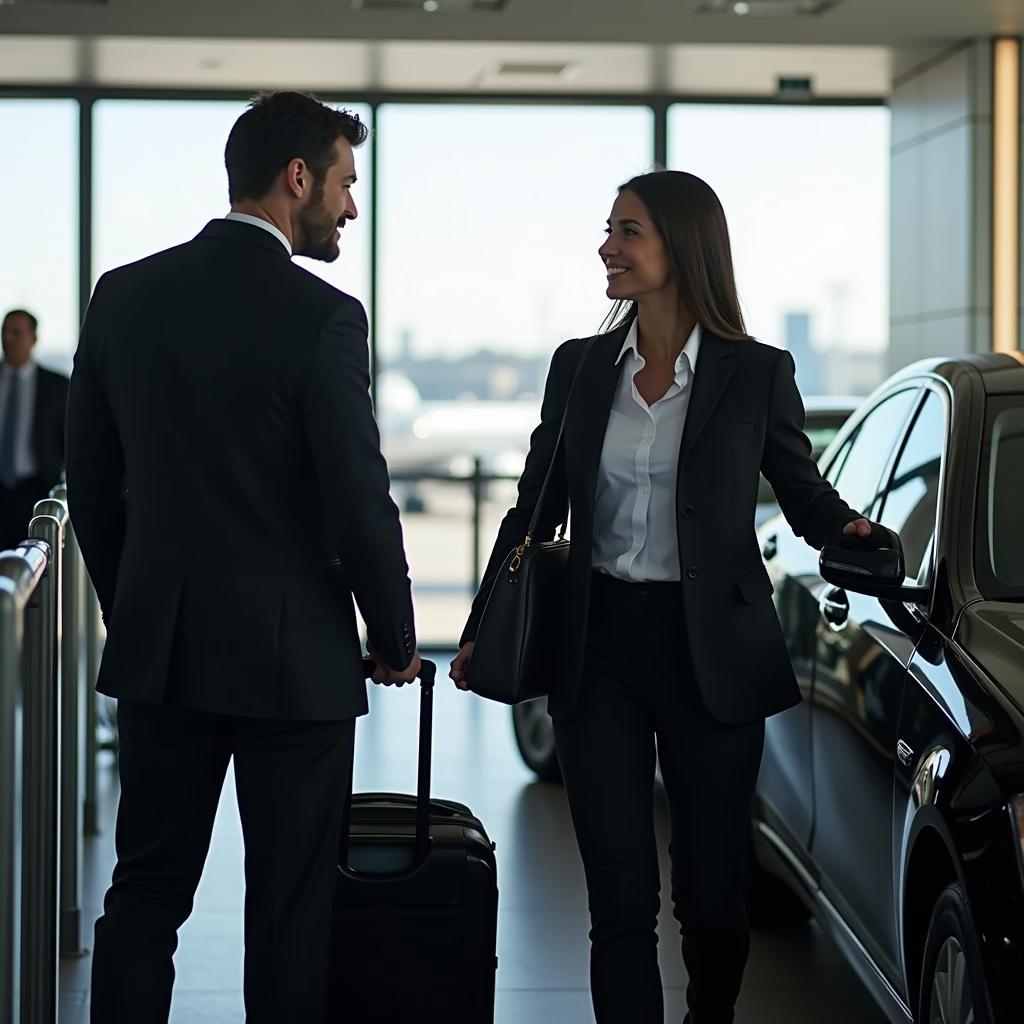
<point x="21" y="573"/>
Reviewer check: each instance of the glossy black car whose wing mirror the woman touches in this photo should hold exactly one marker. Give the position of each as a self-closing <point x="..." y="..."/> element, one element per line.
<point x="890" y="801"/>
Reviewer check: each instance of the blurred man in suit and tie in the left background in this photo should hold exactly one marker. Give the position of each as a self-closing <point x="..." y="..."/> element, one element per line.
<point x="32" y="428"/>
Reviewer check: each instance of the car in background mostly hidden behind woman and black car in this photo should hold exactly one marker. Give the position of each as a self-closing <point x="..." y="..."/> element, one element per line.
<point x="531" y="723"/>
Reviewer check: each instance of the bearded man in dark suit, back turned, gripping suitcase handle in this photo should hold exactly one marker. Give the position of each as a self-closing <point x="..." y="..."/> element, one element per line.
<point x="230" y="496"/>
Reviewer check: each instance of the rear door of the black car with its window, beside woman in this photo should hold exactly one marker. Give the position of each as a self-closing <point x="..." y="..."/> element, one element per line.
<point x="786" y="784"/>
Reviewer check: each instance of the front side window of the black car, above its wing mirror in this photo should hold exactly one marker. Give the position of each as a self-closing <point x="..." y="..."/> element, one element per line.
<point x="910" y="502"/>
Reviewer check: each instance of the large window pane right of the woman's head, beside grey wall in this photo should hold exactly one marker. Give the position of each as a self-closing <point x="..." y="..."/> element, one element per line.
<point x="806" y="194"/>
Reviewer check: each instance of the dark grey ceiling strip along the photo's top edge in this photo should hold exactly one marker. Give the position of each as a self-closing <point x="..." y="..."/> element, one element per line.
<point x="664" y="22"/>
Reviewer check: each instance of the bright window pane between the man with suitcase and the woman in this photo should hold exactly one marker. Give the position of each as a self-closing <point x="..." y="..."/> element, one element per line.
<point x="491" y="219"/>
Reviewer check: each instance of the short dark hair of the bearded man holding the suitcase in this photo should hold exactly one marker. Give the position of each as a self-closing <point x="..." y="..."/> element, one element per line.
<point x="279" y="127"/>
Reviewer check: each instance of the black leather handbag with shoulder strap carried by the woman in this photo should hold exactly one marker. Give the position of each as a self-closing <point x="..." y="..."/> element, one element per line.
<point x="520" y="636"/>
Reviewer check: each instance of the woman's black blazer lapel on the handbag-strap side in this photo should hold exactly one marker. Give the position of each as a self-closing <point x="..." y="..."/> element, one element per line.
<point x="589" y="420"/>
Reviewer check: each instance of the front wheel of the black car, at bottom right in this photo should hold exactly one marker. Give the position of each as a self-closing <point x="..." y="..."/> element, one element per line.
<point x="953" y="984"/>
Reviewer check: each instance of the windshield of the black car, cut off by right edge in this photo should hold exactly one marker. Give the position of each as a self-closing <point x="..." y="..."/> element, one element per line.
<point x="1000" y="552"/>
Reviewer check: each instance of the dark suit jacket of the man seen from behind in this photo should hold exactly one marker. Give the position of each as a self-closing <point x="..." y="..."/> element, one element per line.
<point x="227" y="484"/>
